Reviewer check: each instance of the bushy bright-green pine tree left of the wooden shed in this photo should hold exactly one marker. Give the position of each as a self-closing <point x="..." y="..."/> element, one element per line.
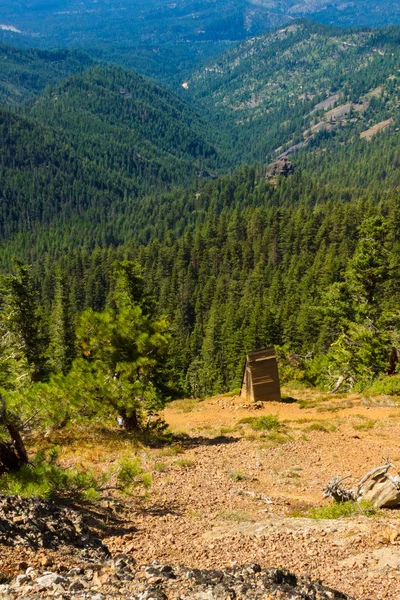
<point x="122" y="352"/>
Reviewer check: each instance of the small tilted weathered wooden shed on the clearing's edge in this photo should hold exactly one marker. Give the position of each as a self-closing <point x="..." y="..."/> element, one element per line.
<point x="260" y="378"/>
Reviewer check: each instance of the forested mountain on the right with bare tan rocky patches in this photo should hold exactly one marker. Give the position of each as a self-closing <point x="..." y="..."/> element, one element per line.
<point x="301" y="84"/>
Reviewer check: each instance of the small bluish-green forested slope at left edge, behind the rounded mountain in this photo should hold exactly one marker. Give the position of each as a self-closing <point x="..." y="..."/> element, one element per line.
<point x="24" y="73"/>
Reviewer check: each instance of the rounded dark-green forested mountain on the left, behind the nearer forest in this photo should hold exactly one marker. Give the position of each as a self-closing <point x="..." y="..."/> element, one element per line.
<point x="100" y="138"/>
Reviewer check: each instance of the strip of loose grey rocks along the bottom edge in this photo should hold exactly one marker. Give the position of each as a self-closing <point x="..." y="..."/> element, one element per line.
<point x="120" y="579"/>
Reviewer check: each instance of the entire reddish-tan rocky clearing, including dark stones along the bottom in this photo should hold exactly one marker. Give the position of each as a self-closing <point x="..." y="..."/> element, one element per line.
<point x="223" y="496"/>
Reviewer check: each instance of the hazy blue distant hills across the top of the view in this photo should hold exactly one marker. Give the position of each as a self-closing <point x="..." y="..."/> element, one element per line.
<point x="72" y="22"/>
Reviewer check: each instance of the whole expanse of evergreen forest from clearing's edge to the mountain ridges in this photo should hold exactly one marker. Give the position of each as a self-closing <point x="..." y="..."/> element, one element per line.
<point x="158" y="258"/>
